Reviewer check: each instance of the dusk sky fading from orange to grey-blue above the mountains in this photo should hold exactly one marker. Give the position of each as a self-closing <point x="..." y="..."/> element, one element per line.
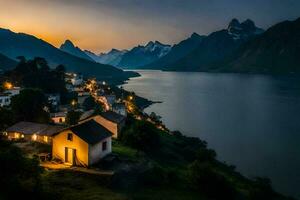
<point x="100" y="25"/>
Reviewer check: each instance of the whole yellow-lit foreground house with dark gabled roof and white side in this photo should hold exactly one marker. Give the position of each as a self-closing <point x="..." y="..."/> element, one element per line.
<point x="83" y="144"/>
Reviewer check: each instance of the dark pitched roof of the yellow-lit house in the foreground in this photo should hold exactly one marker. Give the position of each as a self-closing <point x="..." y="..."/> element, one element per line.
<point x="91" y="132"/>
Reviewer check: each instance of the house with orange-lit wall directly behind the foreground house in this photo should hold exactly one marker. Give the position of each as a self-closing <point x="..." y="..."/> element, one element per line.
<point x="112" y="121"/>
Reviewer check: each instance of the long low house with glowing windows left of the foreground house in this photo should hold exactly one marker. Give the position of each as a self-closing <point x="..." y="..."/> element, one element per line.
<point x="30" y="131"/>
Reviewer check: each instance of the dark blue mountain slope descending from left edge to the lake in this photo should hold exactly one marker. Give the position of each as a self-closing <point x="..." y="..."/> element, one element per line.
<point x="21" y="44"/>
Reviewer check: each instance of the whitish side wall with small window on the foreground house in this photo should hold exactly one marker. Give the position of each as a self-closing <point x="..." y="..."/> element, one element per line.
<point x="96" y="153"/>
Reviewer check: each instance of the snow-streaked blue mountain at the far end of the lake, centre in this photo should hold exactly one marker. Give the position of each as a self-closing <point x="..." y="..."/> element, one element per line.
<point x="142" y="55"/>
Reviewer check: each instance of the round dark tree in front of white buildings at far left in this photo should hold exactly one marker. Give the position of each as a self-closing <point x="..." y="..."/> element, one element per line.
<point x="29" y="106"/>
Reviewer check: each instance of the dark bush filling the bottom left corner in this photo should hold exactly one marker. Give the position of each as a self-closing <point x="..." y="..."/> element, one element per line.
<point x="19" y="175"/>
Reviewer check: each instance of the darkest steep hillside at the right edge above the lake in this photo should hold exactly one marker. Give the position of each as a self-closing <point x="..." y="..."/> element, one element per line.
<point x="275" y="51"/>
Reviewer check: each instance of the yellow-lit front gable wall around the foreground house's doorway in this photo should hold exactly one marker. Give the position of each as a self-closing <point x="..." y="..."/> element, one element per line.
<point x="60" y="142"/>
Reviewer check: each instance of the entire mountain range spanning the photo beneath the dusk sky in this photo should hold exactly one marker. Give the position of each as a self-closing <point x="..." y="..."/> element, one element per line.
<point x="241" y="47"/>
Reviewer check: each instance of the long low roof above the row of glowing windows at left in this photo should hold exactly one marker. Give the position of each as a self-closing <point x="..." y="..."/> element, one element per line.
<point x="30" y="128"/>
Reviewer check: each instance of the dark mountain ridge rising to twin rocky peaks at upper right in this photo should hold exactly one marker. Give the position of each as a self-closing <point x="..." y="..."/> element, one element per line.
<point x="216" y="46"/>
